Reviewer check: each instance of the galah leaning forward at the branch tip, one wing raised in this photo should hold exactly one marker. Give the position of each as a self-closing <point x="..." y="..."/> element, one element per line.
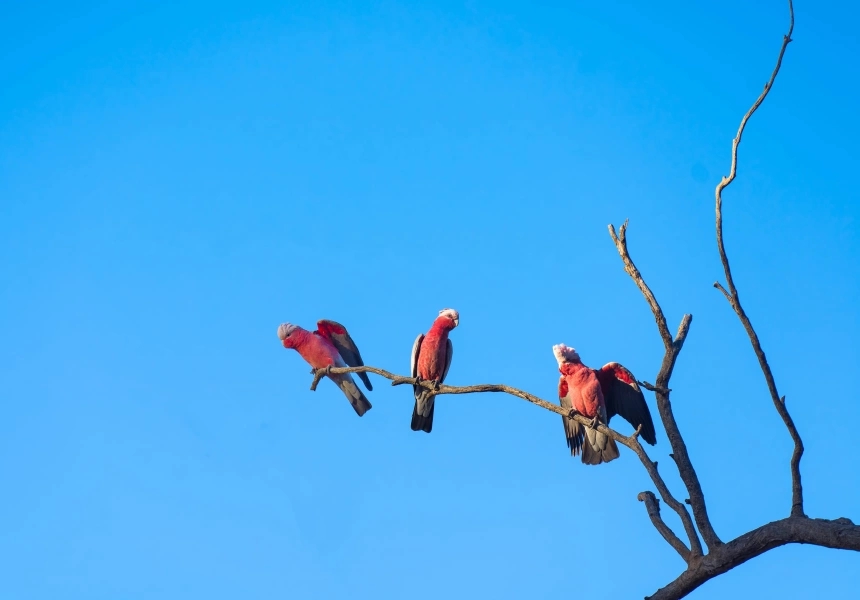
<point x="321" y="349"/>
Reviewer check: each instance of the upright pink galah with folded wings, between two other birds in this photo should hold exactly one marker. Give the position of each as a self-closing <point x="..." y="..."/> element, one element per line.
<point x="431" y="359"/>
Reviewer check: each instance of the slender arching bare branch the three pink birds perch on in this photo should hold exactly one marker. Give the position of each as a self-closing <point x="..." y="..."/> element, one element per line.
<point x="632" y="441"/>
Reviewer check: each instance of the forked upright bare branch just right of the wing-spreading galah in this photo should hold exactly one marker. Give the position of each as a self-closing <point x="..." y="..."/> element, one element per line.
<point x="661" y="391"/>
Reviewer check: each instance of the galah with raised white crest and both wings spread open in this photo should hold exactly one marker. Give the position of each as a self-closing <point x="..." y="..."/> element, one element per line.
<point x="598" y="395"/>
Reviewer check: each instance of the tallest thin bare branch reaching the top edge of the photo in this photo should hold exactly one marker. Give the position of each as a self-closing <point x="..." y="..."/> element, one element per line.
<point x="734" y="299"/>
